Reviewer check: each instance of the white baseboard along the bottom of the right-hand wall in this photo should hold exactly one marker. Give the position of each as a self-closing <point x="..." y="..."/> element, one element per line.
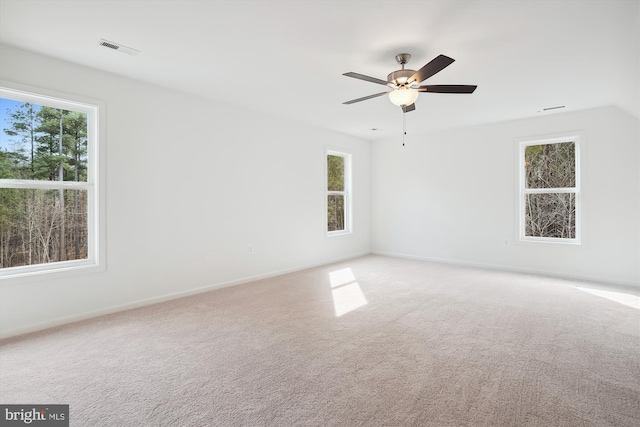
<point x="604" y="283"/>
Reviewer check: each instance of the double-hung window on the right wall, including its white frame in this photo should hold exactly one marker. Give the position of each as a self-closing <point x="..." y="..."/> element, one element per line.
<point x="550" y="190"/>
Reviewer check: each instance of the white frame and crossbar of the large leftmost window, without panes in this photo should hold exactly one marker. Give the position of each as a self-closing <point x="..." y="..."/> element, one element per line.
<point x="95" y="175"/>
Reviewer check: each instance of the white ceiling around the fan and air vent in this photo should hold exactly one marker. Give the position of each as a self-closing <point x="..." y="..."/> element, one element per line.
<point x="287" y="57"/>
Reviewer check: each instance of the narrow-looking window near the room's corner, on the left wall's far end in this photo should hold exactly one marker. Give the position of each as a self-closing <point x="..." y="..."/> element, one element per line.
<point x="338" y="192"/>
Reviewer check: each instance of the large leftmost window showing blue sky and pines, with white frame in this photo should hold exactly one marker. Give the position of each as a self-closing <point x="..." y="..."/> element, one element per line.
<point x="48" y="184"/>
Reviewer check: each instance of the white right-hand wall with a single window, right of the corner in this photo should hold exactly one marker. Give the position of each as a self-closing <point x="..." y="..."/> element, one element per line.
<point x="453" y="196"/>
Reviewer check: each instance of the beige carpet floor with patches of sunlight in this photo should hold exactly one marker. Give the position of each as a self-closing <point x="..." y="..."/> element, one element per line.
<point x="374" y="341"/>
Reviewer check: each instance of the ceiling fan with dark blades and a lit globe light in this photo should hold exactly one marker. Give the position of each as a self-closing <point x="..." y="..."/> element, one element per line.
<point x="405" y="83"/>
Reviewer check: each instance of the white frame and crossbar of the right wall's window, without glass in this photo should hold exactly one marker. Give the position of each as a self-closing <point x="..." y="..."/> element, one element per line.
<point x="523" y="191"/>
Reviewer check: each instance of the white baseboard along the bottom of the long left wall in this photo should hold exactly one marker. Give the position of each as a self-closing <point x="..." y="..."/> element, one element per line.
<point x="38" y="327"/>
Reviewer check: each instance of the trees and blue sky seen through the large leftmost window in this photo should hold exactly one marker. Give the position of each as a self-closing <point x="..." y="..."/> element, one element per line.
<point x="39" y="226"/>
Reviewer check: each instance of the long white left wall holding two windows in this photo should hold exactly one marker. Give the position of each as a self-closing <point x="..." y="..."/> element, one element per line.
<point x="190" y="184"/>
